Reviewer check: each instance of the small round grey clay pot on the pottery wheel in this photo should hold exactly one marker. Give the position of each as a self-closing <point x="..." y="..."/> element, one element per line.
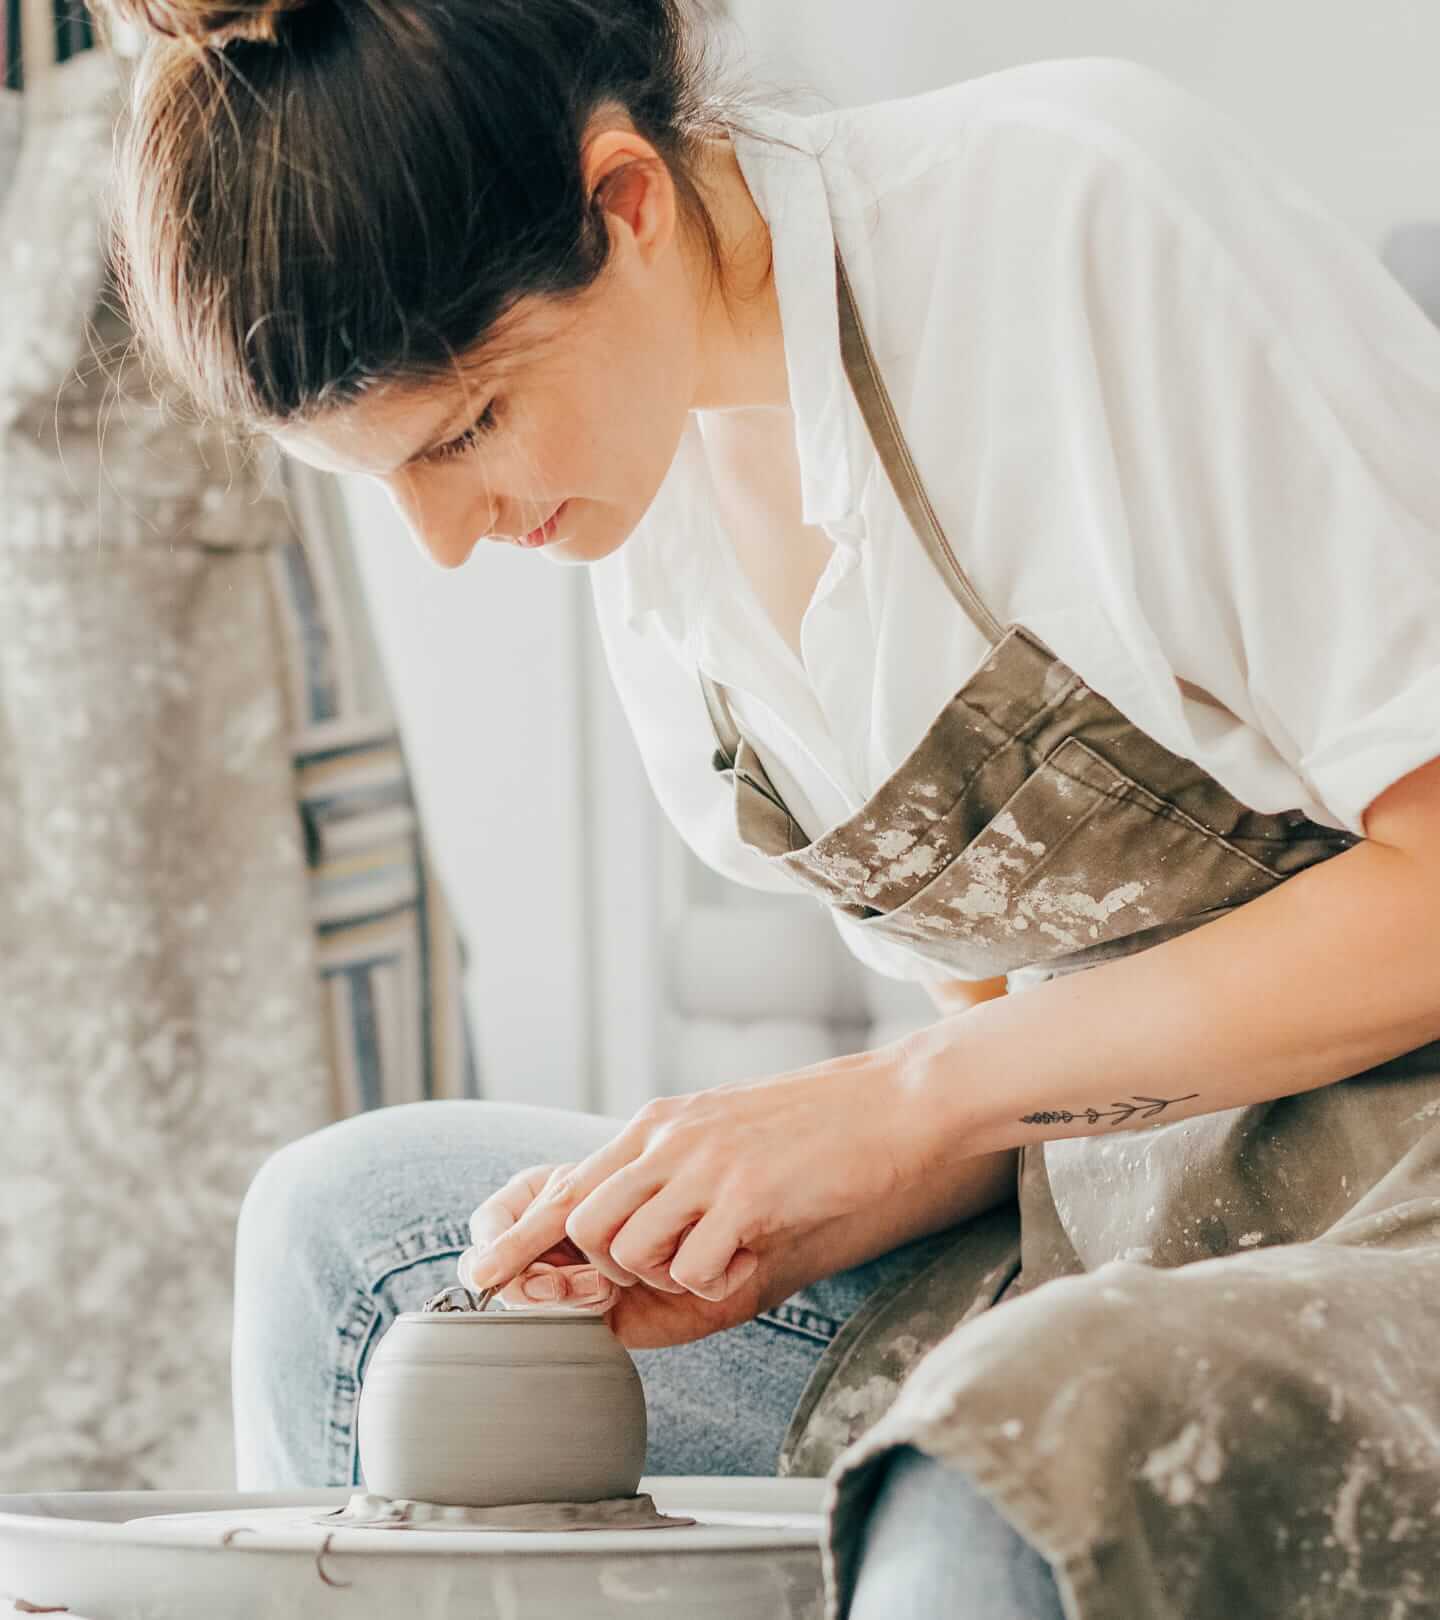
<point x="490" y="1409"/>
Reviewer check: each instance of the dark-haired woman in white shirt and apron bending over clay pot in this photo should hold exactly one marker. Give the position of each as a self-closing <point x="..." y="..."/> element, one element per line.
<point x="1012" y="516"/>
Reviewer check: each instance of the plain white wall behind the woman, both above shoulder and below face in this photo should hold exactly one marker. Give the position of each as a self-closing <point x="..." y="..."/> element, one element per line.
<point x="526" y="772"/>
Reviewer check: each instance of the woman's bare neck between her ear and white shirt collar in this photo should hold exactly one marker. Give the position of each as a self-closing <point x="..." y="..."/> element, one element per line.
<point x="743" y="356"/>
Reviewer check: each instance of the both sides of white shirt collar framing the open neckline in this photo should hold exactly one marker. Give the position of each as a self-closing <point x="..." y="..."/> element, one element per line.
<point x="668" y="565"/>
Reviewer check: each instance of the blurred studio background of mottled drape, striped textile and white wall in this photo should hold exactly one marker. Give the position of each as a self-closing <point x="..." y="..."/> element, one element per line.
<point x="378" y="942"/>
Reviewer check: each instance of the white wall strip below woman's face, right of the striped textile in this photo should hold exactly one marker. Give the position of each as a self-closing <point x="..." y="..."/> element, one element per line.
<point x="485" y="670"/>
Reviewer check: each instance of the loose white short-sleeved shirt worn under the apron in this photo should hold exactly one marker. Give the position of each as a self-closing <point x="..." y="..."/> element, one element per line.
<point x="1174" y="417"/>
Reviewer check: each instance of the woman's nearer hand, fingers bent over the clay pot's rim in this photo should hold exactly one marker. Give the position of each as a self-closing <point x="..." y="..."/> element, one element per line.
<point x="692" y="1182"/>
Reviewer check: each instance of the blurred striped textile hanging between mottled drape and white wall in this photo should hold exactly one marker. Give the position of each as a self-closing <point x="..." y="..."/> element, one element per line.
<point x="390" y="953"/>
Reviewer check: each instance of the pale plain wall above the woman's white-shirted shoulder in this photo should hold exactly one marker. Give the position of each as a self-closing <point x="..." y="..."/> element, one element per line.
<point x="1342" y="93"/>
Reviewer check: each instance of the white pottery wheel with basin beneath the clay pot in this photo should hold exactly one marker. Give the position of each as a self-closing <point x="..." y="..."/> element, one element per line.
<point x="752" y="1550"/>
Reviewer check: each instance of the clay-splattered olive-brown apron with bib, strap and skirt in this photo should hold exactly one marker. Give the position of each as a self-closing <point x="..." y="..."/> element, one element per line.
<point x="1230" y="1400"/>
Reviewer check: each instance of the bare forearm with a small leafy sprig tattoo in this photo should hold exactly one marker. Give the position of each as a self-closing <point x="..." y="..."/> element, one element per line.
<point x="1290" y="992"/>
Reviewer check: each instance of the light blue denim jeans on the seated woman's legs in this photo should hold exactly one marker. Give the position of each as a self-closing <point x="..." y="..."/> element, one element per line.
<point x="354" y="1224"/>
